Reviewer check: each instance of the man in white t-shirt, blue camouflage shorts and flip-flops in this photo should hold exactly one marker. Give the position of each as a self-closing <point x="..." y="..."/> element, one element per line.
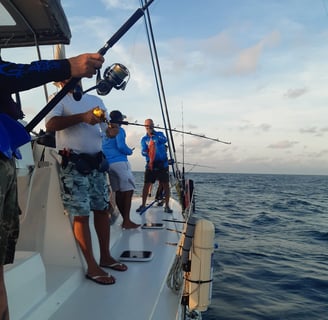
<point x="79" y="135"/>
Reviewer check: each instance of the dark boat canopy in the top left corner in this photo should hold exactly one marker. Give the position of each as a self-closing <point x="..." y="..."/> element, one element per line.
<point x="32" y="23"/>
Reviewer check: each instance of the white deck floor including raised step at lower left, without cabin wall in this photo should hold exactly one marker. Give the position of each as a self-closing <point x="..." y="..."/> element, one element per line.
<point x="59" y="292"/>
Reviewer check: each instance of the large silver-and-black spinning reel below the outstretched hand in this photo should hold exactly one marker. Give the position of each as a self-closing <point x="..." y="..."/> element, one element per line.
<point x="115" y="76"/>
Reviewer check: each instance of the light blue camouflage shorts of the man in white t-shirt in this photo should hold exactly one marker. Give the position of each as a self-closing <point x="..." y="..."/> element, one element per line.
<point x="83" y="193"/>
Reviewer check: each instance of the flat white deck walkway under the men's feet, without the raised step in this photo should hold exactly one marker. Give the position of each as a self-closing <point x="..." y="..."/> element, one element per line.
<point x="139" y="292"/>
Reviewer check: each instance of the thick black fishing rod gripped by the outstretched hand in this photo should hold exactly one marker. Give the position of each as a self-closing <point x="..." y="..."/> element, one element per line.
<point x="74" y="81"/>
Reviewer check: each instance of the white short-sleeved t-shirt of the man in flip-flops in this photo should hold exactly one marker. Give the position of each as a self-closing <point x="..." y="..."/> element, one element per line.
<point x="82" y="137"/>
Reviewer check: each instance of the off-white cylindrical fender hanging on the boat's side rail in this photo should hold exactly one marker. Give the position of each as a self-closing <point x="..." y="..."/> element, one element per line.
<point x="200" y="277"/>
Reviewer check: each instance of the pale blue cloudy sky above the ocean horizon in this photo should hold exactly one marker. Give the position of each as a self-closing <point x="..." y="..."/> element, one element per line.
<point x="250" y="72"/>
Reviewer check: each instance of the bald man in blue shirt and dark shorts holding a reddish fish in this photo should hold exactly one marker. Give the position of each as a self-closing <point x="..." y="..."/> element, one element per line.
<point x="153" y="148"/>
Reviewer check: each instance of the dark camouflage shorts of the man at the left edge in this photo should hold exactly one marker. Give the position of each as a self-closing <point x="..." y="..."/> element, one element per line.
<point x="9" y="210"/>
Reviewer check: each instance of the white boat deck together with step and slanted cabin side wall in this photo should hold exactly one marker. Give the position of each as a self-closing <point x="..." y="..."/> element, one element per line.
<point x="47" y="280"/>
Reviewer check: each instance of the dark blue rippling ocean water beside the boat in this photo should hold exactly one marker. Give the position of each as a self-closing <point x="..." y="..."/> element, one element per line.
<point x="272" y="232"/>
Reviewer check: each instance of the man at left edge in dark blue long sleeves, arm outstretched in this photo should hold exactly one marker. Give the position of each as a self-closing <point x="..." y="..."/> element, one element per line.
<point x="13" y="79"/>
